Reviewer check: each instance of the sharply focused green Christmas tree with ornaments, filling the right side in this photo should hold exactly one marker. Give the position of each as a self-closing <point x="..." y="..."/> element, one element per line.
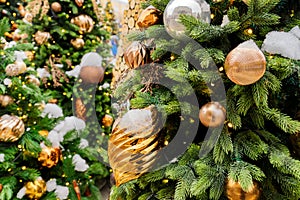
<point x="211" y="102"/>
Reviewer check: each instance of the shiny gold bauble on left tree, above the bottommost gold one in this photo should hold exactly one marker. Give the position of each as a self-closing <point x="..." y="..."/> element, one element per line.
<point x="49" y="156"/>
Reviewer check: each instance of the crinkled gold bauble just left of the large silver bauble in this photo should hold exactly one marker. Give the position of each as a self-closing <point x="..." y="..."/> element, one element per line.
<point x="149" y="17"/>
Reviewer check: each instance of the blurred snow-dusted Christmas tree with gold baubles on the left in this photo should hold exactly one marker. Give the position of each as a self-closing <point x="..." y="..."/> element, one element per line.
<point x="46" y="153"/>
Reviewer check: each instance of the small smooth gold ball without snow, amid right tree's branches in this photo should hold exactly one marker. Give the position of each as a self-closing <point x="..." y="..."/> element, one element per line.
<point x="212" y="114"/>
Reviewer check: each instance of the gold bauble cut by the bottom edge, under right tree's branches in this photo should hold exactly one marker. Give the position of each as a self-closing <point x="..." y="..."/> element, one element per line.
<point x="234" y="191"/>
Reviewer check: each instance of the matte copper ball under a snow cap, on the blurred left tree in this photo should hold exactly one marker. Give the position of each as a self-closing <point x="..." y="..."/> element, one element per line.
<point x="90" y="74"/>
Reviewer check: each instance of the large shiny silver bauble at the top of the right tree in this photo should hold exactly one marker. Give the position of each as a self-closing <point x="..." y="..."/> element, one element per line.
<point x="199" y="9"/>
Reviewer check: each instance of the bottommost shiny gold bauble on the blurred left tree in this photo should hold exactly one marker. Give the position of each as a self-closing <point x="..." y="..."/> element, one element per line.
<point x="35" y="189"/>
